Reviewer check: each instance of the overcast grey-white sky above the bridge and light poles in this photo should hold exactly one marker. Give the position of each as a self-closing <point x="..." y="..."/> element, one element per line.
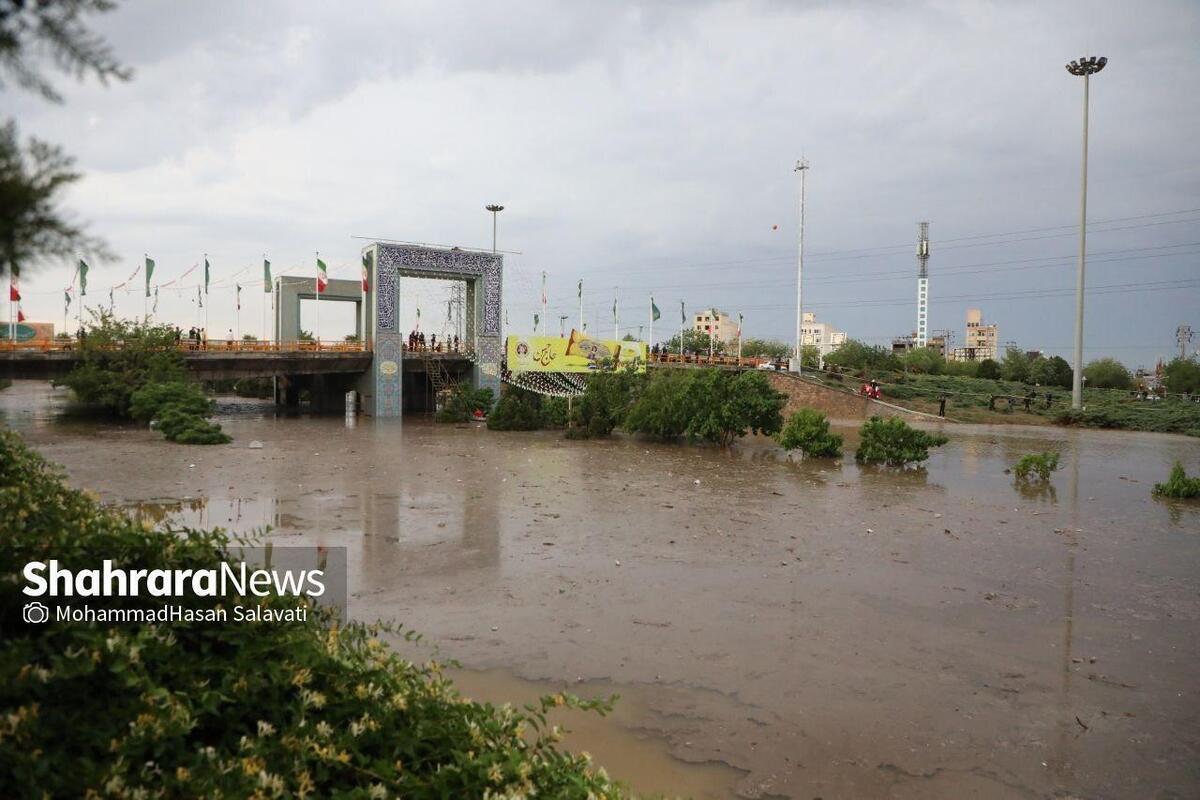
<point x="649" y="148"/>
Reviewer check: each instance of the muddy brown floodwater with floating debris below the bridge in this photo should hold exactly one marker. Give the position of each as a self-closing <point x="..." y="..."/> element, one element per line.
<point x="775" y="629"/>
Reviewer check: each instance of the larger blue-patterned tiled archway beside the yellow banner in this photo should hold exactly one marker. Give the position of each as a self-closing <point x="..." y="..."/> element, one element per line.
<point x="387" y="263"/>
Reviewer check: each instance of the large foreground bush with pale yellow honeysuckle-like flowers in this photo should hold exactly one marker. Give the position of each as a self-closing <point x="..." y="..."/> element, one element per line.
<point x="235" y="711"/>
